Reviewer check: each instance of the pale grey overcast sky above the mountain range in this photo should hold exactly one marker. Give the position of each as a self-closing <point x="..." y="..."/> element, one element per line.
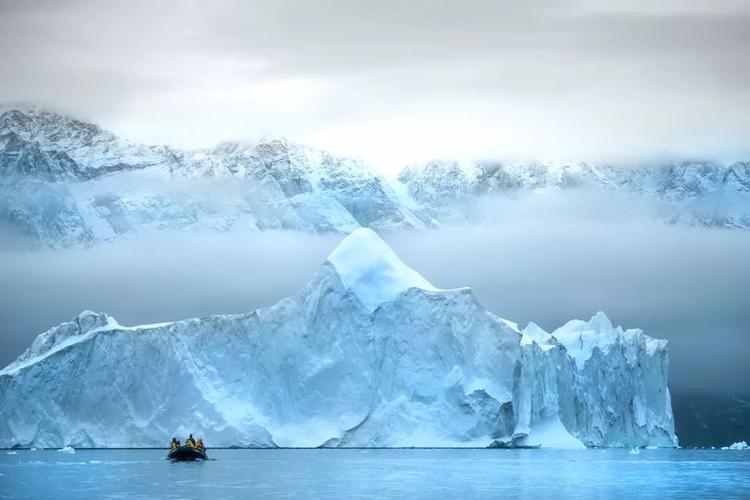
<point x="392" y="81"/>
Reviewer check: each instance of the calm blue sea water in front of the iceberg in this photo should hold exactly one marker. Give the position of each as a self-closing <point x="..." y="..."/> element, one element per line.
<point x="377" y="474"/>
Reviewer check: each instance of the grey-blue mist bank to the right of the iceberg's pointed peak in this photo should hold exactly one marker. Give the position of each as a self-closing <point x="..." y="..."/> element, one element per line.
<point x="690" y="286"/>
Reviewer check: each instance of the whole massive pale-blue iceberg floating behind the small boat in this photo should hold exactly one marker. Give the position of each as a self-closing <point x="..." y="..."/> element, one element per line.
<point x="368" y="353"/>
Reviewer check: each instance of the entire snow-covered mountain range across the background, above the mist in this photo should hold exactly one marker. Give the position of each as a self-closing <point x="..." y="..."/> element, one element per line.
<point x="64" y="182"/>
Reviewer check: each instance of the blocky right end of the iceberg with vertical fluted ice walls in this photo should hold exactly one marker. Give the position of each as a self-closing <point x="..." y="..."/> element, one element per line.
<point x="608" y="386"/>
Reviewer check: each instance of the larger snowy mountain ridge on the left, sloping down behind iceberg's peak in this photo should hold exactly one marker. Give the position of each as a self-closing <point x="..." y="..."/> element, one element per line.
<point x="64" y="182"/>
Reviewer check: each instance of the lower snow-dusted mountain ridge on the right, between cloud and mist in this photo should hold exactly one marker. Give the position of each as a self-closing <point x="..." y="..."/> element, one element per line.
<point x="702" y="193"/>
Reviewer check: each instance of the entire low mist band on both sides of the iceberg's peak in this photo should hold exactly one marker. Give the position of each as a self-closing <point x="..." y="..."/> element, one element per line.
<point x="542" y="261"/>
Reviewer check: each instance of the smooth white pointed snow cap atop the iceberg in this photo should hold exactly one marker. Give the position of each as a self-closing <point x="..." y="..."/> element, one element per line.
<point x="371" y="270"/>
